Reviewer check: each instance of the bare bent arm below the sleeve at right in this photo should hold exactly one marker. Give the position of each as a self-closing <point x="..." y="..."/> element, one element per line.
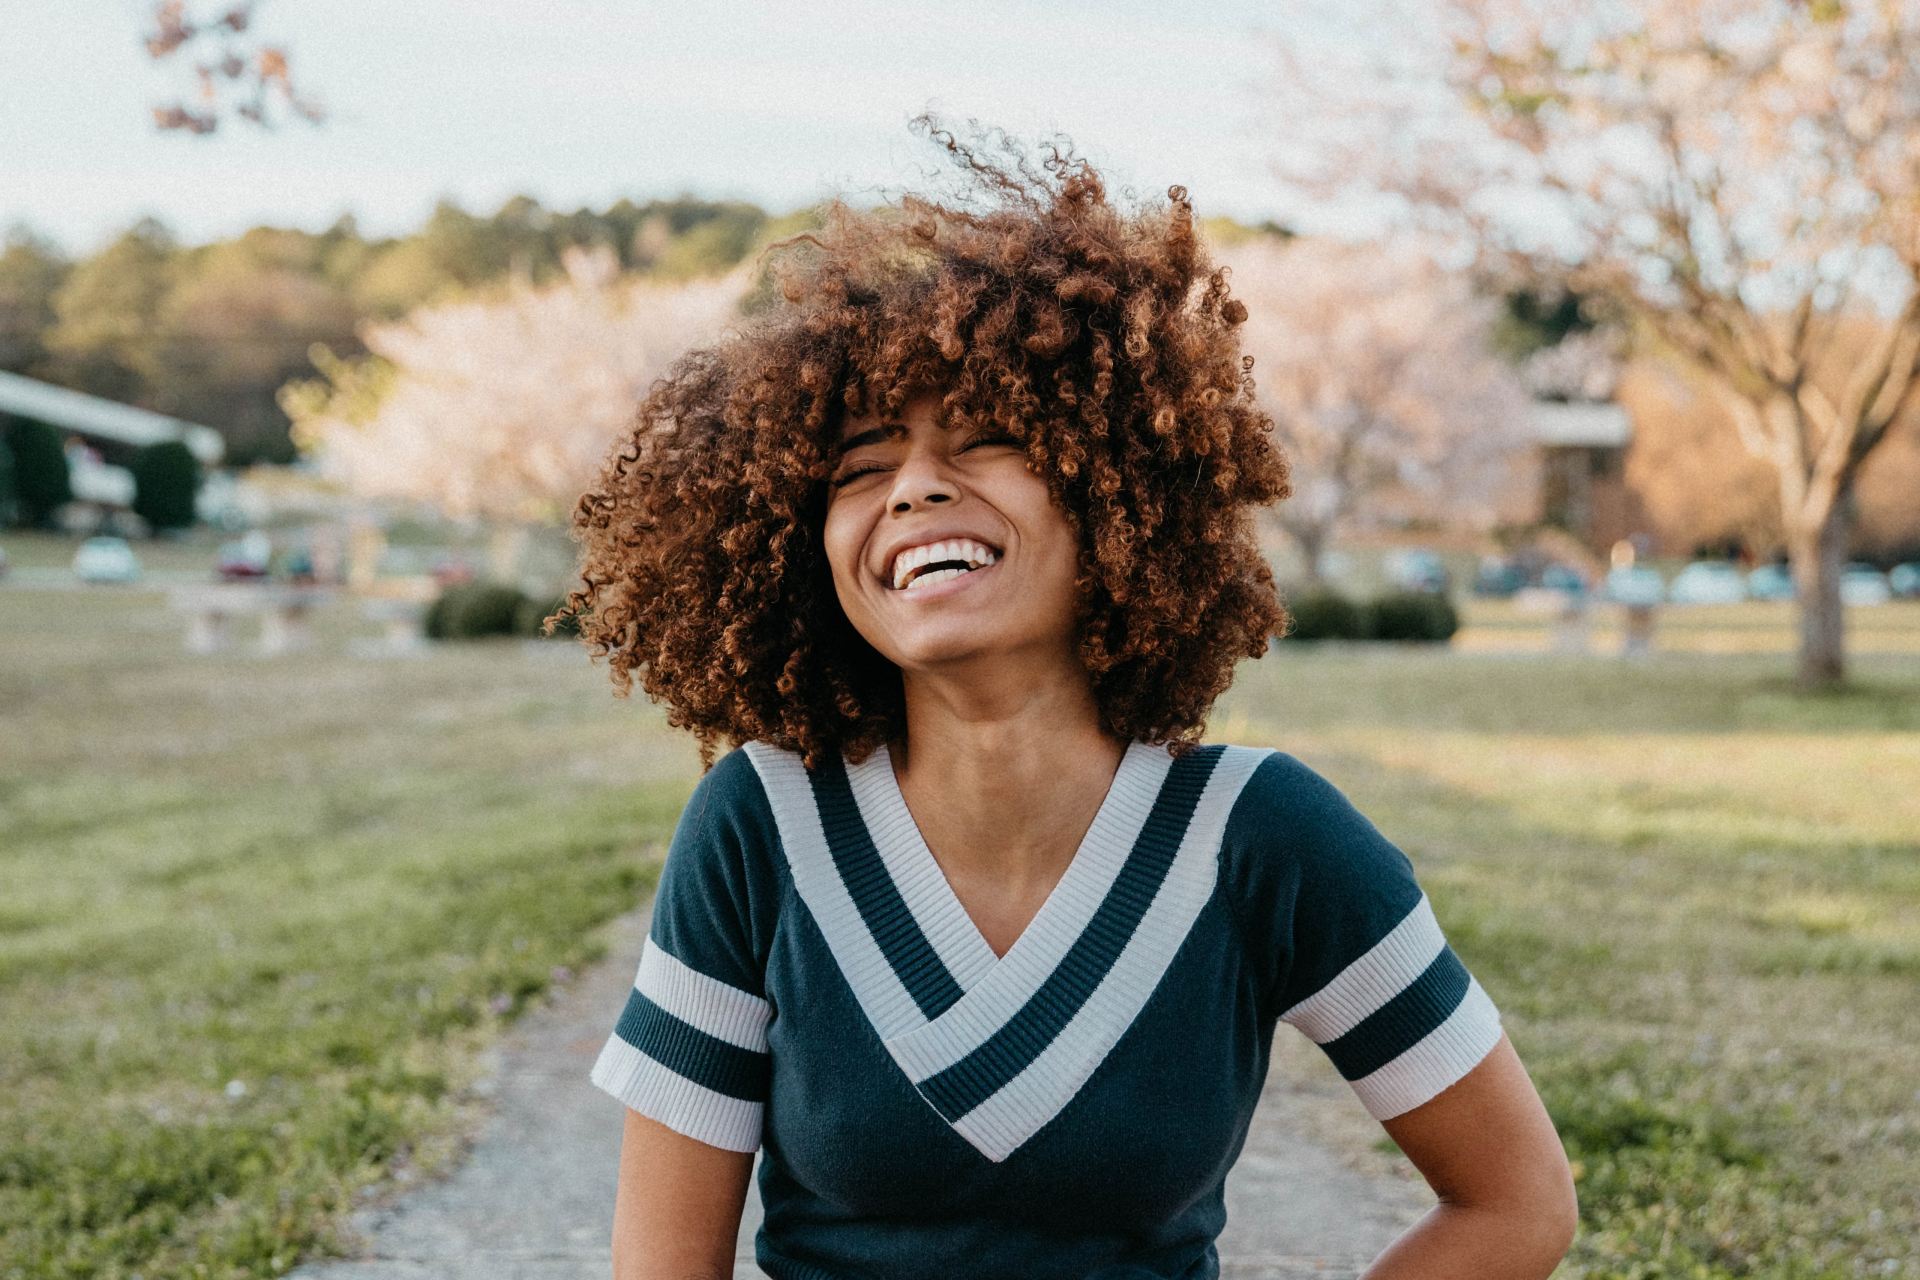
<point x="1491" y="1154"/>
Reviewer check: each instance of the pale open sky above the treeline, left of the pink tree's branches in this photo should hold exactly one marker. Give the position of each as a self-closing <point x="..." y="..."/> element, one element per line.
<point x="581" y="103"/>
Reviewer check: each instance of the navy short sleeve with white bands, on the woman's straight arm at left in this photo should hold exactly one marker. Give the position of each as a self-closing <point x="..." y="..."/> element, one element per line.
<point x="690" y="1049"/>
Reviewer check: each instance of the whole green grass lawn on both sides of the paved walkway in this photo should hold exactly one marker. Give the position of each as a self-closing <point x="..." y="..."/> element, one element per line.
<point x="260" y="914"/>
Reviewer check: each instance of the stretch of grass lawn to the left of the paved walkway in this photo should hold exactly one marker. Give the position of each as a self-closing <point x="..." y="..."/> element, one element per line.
<point x="260" y="914"/>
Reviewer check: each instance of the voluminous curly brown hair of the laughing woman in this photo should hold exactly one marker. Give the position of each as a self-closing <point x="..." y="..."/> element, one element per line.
<point x="1105" y="343"/>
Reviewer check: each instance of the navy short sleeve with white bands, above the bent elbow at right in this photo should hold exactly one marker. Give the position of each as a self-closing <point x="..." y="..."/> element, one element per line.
<point x="1347" y="945"/>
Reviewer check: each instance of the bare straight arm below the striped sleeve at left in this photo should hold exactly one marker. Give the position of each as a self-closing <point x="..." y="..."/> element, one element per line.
<point x="677" y="1214"/>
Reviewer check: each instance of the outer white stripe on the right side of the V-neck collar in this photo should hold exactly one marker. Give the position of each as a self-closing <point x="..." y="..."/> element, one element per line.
<point x="1038" y="1095"/>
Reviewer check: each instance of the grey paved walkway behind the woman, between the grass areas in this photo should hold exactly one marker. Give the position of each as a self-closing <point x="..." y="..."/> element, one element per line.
<point x="535" y="1197"/>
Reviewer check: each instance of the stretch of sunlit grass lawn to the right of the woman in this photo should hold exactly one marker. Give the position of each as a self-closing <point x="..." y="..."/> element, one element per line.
<point x="1696" y="897"/>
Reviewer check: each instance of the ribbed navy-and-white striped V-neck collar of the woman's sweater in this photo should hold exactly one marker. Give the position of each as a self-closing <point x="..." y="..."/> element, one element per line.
<point x="997" y="1047"/>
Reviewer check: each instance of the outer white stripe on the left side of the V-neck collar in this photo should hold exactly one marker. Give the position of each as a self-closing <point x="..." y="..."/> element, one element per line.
<point x="888" y="1007"/>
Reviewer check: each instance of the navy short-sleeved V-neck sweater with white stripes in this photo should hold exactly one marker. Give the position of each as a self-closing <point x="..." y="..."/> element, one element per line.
<point x="813" y="989"/>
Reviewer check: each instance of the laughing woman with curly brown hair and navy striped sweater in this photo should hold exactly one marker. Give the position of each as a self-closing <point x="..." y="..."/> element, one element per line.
<point x="971" y="936"/>
